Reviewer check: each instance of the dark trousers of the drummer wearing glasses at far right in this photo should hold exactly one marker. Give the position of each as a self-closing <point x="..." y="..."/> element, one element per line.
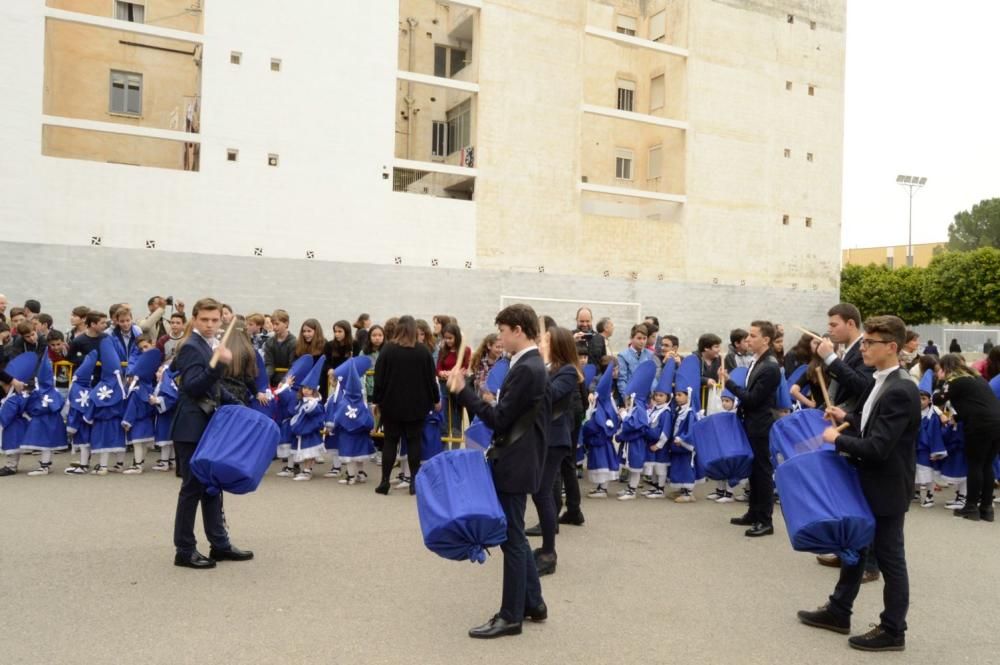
<point x="892" y="562"/>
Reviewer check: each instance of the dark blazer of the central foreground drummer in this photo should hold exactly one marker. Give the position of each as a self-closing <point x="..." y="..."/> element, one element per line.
<point x="517" y="469"/>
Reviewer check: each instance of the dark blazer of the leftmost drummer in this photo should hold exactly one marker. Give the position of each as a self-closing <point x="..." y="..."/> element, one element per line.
<point x="195" y="380"/>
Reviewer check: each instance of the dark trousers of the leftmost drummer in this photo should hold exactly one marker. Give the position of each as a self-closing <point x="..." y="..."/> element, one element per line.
<point x="192" y="493"/>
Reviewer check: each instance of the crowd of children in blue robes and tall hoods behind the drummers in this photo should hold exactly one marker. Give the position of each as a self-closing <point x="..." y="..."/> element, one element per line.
<point x="637" y="429"/>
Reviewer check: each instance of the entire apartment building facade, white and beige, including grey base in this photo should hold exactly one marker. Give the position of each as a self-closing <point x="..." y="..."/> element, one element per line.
<point x="645" y="153"/>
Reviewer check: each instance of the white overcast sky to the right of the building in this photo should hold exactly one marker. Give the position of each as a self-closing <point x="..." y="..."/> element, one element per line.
<point x="922" y="99"/>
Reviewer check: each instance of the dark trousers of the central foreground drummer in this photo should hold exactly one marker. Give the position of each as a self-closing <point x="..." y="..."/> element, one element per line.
<point x="521" y="587"/>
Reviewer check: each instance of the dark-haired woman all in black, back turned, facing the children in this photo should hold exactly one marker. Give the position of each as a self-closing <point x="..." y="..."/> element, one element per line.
<point x="405" y="391"/>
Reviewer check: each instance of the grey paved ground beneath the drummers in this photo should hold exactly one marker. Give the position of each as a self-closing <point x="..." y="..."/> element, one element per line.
<point x="341" y="576"/>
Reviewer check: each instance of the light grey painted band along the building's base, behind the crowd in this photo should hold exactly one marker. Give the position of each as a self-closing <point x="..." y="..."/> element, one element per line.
<point x="61" y="277"/>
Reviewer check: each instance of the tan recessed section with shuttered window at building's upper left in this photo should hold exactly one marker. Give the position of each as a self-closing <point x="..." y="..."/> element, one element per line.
<point x="108" y="75"/>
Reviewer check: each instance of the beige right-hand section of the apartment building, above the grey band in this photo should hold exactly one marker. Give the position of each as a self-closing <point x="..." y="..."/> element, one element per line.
<point x="681" y="140"/>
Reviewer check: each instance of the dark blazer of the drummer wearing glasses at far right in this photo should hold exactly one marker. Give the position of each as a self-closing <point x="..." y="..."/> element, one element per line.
<point x="885" y="452"/>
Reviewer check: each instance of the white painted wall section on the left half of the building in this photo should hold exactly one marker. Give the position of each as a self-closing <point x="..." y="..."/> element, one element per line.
<point x="328" y="114"/>
